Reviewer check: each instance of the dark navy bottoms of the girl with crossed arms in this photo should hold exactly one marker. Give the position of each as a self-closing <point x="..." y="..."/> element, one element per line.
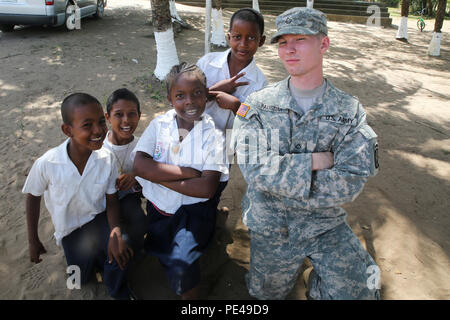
<point x="179" y="240"/>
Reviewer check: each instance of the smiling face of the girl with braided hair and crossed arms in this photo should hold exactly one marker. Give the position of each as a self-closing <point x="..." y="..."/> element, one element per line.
<point x="188" y="97"/>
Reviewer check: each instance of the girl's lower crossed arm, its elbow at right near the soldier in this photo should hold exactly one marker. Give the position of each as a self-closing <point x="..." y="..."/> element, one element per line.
<point x="202" y="187"/>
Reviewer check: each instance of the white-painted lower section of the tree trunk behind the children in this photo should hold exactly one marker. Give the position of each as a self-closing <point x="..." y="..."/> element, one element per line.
<point x="166" y="56"/>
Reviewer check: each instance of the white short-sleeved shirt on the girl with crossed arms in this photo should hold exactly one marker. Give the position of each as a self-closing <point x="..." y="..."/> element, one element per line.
<point x="202" y="149"/>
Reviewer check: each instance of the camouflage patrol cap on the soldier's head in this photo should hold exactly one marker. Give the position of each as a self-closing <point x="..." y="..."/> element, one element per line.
<point x="300" y="21"/>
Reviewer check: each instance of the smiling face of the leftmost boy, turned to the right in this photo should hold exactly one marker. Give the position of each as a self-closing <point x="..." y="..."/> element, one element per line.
<point x="88" y="128"/>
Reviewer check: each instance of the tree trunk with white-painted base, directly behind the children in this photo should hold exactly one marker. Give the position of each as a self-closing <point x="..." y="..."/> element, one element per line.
<point x="167" y="55"/>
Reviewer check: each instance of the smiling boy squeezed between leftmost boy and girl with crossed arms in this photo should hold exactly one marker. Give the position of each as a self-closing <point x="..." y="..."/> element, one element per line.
<point x="123" y="113"/>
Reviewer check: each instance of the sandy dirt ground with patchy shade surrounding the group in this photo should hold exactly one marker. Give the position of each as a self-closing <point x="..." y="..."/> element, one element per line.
<point x="402" y="216"/>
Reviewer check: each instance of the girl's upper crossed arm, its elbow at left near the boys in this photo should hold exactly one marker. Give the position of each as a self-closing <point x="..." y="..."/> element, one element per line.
<point x="149" y="169"/>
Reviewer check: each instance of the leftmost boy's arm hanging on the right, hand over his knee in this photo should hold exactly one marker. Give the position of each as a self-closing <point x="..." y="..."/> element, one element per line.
<point x="117" y="247"/>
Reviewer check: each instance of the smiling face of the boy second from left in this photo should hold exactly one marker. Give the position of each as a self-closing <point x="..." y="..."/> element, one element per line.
<point x="124" y="118"/>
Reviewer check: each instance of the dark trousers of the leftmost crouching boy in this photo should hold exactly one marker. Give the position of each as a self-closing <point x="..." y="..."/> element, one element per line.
<point x="87" y="248"/>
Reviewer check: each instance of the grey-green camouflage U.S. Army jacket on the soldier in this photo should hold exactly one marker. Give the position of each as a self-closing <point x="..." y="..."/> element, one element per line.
<point x="274" y="146"/>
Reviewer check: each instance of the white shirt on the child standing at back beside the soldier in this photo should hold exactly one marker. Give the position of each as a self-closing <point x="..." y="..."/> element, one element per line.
<point x="215" y="67"/>
